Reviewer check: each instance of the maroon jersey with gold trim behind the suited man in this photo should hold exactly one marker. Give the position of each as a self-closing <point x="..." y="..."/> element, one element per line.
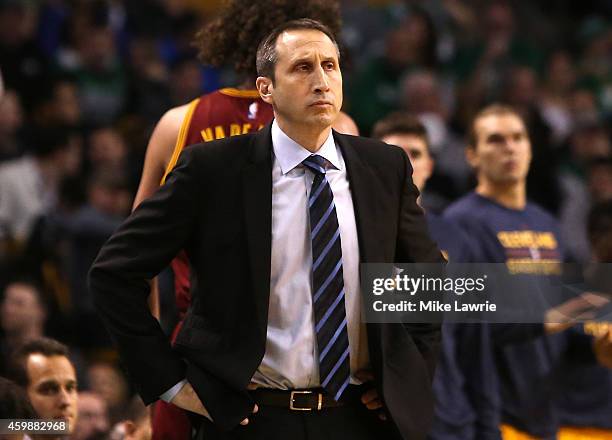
<point x="225" y="112"/>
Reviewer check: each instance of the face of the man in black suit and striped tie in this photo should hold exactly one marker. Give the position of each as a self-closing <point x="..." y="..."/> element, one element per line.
<point x="307" y="89"/>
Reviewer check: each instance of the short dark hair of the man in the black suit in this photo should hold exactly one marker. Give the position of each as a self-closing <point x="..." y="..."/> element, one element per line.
<point x="267" y="56"/>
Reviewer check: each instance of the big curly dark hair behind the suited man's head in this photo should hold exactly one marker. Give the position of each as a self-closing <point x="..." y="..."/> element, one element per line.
<point x="231" y="39"/>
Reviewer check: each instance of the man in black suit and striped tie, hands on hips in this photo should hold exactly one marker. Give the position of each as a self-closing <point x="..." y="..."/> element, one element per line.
<point x="275" y="225"/>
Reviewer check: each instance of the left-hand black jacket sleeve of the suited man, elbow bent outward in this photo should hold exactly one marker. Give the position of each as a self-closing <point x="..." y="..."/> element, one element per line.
<point x="118" y="280"/>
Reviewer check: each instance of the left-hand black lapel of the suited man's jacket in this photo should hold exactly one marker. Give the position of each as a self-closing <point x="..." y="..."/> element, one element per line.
<point x="257" y="190"/>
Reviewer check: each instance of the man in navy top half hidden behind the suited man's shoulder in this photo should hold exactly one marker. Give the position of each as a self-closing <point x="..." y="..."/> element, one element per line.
<point x="455" y="416"/>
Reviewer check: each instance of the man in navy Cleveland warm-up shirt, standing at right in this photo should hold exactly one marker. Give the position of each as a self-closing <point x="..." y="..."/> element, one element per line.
<point x="505" y="228"/>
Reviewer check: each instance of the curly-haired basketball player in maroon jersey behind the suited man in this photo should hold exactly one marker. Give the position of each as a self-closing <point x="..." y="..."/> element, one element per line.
<point x="229" y="40"/>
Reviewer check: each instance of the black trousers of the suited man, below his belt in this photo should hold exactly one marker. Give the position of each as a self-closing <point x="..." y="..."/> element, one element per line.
<point x="350" y="422"/>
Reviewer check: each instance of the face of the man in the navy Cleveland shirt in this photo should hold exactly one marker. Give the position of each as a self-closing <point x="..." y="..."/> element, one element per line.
<point x="503" y="152"/>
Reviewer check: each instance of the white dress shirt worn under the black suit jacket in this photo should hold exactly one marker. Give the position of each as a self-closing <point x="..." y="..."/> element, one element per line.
<point x="291" y="359"/>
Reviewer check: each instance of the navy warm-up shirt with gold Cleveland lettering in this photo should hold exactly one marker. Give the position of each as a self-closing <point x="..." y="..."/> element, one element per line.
<point x="525" y="371"/>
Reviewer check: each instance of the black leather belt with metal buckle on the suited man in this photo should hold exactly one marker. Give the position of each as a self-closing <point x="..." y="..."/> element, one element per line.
<point x="304" y="400"/>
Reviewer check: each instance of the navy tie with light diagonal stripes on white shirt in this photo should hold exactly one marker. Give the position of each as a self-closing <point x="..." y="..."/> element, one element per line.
<point x="327" y="283"/>
